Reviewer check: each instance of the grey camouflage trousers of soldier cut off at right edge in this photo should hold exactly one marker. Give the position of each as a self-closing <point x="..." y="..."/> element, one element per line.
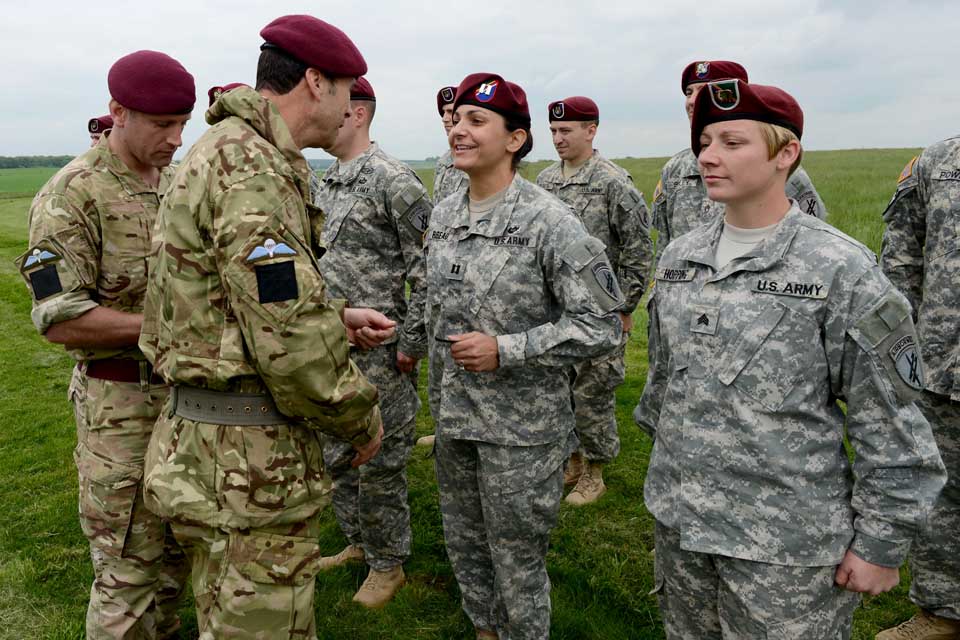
<point x="935" y="554"/>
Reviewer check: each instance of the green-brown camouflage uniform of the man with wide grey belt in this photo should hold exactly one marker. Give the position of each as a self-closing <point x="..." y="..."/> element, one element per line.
<point x="236" y="304"/>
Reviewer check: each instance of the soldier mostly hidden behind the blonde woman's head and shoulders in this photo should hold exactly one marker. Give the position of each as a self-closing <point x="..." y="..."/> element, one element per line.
<point x="679" y="201"/>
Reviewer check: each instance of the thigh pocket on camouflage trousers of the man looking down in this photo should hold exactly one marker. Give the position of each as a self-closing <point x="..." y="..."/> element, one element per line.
<point x="108" y="491"/>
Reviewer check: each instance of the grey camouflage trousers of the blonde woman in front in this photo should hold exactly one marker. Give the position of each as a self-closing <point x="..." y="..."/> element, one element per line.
<point x="704" y="596"/>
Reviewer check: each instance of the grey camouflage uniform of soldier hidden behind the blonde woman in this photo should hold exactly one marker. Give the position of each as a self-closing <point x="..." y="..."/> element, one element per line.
<point x="680" y="202"/>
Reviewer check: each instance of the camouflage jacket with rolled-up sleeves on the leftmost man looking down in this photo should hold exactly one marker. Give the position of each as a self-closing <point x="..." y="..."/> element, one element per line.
<point x="90" y="234"/>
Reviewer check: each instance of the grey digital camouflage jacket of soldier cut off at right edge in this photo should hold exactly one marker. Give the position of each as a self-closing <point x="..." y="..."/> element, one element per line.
<point x="921" y="256"/>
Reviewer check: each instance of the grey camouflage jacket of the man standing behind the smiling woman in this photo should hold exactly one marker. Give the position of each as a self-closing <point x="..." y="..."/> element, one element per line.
<point x="612" y="210"/>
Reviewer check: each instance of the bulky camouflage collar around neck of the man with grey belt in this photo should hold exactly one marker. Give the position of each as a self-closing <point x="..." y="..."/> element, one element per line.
<point x="264" y="117"/>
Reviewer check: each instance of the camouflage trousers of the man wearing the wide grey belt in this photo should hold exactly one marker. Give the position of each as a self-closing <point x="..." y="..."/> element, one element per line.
<point x="253" y="583"/>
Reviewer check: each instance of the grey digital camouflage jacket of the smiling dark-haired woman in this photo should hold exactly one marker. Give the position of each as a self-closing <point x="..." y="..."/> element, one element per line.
<point x="530" y="275"/>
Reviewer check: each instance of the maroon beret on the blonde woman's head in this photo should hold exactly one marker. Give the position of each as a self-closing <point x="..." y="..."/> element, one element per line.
<point x="735" y="100"/>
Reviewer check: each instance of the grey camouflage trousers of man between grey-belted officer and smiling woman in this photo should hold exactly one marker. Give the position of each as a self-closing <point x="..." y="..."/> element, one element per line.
<point x="370" y="502"/>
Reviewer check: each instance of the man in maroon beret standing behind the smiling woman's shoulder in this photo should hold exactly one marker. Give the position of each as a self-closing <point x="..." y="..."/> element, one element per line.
<point x="612" y="209"/>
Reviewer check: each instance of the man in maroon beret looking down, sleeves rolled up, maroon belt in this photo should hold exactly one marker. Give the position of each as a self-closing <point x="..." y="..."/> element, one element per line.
<point x="90" y="240"/>
